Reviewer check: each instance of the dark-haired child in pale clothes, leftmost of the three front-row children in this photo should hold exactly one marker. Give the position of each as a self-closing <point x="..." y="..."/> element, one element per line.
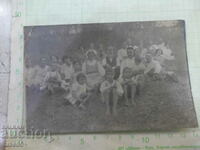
<point x="80" y="92"/>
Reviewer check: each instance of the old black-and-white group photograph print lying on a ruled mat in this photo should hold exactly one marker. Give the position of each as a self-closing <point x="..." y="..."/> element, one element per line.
<point x="107" y="77"/>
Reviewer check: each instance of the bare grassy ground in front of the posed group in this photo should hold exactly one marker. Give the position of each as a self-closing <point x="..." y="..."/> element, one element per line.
<point x="161" y="106"/>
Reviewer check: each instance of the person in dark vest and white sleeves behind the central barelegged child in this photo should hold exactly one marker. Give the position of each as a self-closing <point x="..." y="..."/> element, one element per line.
<point x="112" y="61"/>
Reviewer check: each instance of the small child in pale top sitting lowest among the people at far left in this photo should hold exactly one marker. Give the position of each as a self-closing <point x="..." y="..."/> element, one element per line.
<point x="52" y="80"/>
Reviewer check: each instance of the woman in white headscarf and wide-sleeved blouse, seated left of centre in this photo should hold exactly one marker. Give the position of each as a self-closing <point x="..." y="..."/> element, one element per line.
<point x="93" y="69"/>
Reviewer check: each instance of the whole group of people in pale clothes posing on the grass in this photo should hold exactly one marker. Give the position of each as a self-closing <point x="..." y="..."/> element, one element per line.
<point x="114" y="74"/>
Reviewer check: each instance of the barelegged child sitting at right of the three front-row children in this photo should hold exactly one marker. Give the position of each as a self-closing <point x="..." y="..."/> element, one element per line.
<point x="129" y="86"/>
